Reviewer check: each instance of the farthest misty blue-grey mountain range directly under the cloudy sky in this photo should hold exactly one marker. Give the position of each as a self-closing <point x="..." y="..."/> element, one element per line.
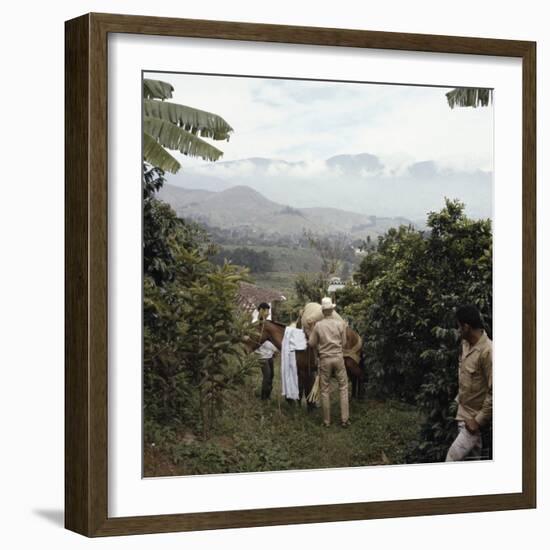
<point x="362" y="184"/>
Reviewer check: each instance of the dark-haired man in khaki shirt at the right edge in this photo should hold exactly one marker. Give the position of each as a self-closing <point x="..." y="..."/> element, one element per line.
<point x="475" y="385"/>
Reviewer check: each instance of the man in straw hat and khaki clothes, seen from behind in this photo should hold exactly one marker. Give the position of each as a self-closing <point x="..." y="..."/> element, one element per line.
<point x="329" y="338"/>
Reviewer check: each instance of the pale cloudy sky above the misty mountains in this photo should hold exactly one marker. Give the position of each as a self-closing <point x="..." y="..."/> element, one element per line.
<point x="311" y="121"/>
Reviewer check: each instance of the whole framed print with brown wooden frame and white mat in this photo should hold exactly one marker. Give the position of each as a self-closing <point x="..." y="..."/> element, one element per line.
<point x="300" y="275"/>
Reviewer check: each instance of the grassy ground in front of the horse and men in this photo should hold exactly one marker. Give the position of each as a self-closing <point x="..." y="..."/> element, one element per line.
<point x="257" y="436"/>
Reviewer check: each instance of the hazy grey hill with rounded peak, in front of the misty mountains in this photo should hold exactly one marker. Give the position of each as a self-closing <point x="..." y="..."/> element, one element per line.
<point x="243" y="207"/>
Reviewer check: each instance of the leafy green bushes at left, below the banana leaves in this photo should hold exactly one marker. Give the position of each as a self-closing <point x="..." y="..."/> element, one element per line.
<point x="193" y="332"/>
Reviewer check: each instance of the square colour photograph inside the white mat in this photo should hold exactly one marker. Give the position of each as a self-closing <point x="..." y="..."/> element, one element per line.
<point x="317" y="274"/>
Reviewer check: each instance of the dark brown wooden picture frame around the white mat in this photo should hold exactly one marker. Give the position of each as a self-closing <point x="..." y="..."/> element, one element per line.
<point x="86" y="283"/>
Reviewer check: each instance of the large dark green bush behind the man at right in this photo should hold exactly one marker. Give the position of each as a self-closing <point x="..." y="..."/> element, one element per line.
<point x="409" y="289"/>
